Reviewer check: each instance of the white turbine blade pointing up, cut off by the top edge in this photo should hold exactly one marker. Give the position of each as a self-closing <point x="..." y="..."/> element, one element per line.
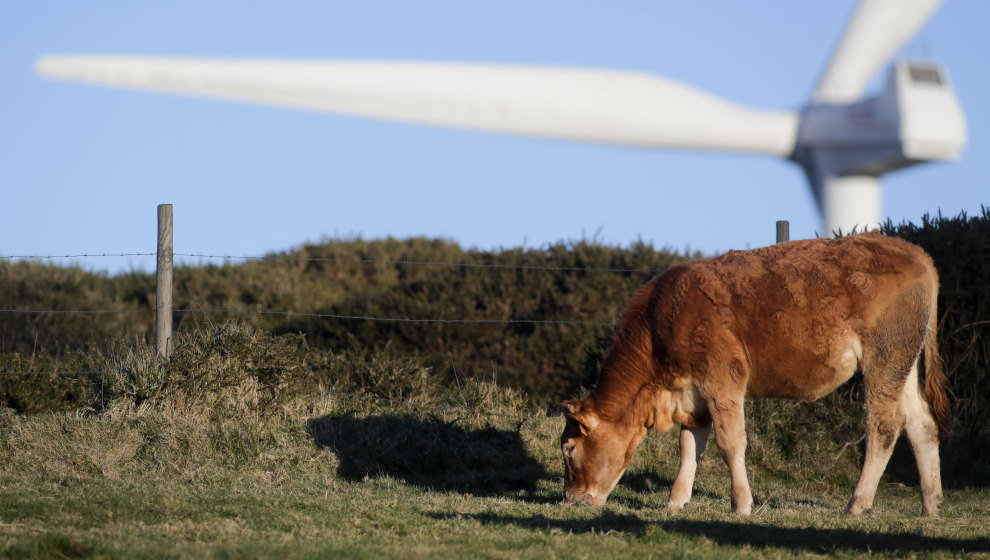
<point x="875" y="32"/>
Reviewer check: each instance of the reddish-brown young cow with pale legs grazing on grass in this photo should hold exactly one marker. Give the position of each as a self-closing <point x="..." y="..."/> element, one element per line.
<point x="795" y="321"/>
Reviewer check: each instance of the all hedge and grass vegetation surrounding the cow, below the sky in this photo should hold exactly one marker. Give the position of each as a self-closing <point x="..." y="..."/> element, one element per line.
<point x="272" y="434"/>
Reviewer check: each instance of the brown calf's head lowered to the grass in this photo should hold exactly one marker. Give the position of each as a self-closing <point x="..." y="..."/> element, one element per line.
<point x="596" y="453"/>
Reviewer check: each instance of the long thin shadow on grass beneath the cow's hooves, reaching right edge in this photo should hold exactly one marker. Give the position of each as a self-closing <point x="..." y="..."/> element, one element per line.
<point x="725" y="533"/>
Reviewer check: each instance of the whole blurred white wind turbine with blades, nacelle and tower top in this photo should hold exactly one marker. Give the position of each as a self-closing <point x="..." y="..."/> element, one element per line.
<point x="843" y="140"/>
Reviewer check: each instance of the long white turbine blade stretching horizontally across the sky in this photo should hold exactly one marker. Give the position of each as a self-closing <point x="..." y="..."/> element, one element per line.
<point x="587" y="105"/>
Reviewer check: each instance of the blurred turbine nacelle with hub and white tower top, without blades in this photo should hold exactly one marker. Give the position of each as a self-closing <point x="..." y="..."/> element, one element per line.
<point x="844" y="148"/>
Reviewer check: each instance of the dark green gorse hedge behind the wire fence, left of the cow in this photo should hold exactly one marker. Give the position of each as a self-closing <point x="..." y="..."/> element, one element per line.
<point x="580" y="283"/>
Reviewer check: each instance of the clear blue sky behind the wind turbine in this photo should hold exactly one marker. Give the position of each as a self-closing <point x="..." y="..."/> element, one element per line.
<point x="82" y="168"/>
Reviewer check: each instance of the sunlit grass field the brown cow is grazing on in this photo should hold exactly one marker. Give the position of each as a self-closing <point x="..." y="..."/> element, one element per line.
<point x="471" y="473"/>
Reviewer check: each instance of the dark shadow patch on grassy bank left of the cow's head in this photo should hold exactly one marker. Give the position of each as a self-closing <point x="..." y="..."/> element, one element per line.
<point x="433" y="454"/>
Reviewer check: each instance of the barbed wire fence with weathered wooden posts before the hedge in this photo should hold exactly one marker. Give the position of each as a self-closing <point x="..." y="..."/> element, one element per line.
<point x="164" y="308"/>
